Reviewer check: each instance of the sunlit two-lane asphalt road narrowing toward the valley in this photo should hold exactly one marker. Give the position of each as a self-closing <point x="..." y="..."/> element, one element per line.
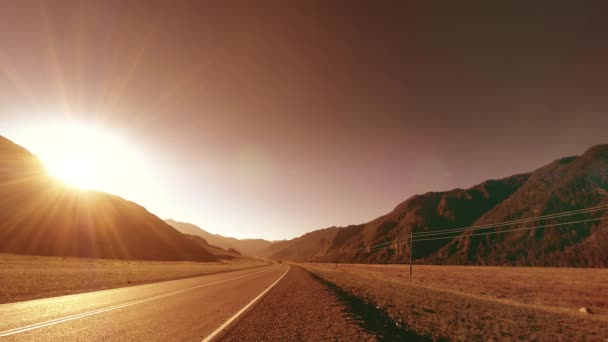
<point x="180" y="310"/>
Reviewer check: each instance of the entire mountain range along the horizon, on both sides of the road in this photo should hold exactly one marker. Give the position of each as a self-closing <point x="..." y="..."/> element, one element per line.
<point x="40" y="216"/>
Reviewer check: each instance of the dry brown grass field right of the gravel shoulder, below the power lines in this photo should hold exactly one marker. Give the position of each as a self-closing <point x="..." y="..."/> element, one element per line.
<point x="483" y="303"/>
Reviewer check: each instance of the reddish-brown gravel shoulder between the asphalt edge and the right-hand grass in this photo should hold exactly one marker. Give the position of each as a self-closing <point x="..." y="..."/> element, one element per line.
<point x="298" y="308"/>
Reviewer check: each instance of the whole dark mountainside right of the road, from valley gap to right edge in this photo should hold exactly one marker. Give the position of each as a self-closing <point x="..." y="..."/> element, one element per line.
<point x="566" y="184"/>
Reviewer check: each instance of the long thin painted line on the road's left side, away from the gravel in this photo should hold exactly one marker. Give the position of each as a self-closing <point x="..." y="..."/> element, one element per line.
<point x="114" y="307"/>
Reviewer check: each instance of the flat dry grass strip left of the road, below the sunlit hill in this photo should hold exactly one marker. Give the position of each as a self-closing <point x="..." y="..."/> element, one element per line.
<point x="25" y="277"/>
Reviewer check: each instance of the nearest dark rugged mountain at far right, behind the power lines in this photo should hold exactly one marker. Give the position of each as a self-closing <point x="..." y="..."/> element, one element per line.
<point x="564" y="185"/>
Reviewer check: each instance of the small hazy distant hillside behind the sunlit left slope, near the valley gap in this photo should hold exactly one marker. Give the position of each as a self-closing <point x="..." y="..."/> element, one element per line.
<point x="250" y="247"/>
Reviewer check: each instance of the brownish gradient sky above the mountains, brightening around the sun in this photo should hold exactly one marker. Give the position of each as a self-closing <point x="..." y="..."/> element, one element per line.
<point x="269" y="119"/>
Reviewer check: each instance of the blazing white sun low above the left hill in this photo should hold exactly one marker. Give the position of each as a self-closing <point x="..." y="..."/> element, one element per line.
<point x="84" y="156"/>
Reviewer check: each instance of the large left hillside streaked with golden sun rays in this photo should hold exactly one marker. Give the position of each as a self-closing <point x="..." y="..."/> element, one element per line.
<point x="43" y="217"/>
